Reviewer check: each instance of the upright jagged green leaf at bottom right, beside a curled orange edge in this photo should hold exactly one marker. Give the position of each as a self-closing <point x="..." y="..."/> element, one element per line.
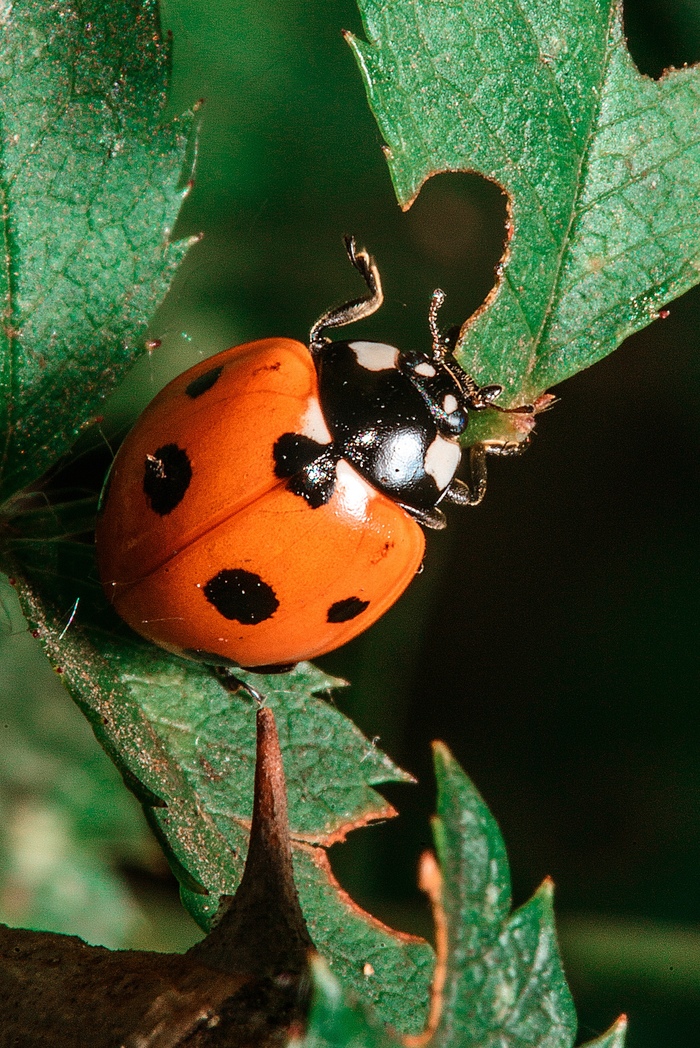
<point x="505" y="984"/>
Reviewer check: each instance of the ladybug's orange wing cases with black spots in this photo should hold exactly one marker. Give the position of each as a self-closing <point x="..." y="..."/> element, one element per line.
<point x="206" y="552"/>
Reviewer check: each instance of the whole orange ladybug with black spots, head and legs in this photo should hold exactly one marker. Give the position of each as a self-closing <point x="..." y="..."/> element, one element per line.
<point x="268" y="506"/>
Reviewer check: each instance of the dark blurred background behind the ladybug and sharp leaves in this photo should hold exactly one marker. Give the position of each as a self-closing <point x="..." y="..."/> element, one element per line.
<point x="552" y="641"/>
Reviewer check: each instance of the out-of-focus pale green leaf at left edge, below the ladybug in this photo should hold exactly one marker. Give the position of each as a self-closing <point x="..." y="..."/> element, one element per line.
<point x="67" y="822"/>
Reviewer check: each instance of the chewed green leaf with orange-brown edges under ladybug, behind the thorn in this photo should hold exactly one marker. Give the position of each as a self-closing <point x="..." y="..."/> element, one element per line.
<point x="186" y="746"/>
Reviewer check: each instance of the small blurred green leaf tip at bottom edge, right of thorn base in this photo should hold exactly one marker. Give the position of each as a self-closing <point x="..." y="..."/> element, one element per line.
<point x="338" y="1019"/>
